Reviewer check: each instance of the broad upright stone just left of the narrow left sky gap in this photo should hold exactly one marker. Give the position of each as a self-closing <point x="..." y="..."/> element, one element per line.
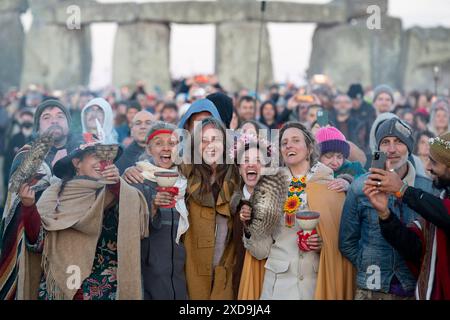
<point x="57" y="57"/>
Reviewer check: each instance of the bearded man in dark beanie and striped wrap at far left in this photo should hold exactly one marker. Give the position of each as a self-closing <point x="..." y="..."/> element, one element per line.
<point x="53" y="118"/>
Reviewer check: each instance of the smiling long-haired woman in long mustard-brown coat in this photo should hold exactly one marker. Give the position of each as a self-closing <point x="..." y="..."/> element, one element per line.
<point x="210" y="252"/>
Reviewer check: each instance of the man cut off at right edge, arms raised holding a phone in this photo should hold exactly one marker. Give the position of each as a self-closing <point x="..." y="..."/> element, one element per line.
<point x="426" y="242"/>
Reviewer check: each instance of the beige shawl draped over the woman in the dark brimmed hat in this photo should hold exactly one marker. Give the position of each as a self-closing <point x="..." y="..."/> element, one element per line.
<point x="72" y="234"/>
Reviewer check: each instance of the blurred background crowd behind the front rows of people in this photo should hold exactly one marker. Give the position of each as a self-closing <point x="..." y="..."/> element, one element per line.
<point x="353" y="111"/>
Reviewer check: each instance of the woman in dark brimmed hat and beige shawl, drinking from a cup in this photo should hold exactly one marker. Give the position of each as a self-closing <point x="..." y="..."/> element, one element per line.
<point x="89" y="233"/>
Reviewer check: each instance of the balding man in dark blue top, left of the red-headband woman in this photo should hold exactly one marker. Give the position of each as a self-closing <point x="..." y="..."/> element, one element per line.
<point x="140" y="125"/>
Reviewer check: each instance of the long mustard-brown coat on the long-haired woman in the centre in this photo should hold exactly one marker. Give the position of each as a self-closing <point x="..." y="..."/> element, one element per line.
<point x="204" y="283"/>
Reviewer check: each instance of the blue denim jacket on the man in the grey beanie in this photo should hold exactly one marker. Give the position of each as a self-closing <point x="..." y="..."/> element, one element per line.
<point x="361" y="241"/>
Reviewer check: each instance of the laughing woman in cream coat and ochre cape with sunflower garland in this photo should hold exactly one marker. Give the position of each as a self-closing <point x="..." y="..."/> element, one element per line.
<point x="298" y="267"/>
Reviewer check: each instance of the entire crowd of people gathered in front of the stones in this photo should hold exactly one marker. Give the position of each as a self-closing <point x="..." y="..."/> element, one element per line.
<point x="246" y="169"/>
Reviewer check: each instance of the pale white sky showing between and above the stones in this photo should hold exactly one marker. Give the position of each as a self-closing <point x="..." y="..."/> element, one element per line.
<point x="290" y="58"/>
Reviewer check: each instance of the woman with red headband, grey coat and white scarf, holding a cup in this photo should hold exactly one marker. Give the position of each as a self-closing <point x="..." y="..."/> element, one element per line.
<point x="163" y="254"/>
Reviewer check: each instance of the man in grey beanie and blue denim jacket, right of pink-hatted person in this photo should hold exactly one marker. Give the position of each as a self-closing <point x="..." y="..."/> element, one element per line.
<point x="382" y="272"/>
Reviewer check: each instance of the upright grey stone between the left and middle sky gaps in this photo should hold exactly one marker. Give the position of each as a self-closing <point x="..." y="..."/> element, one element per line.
<point x="141" y="52"/>
